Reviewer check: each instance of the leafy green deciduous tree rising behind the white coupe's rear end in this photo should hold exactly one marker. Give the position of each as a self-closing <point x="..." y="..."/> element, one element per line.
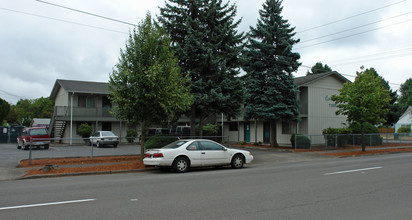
<point x="146" y="84"/>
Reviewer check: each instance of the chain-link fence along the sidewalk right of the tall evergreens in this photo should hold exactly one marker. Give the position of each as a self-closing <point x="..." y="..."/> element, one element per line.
<point x="334" y="141"/>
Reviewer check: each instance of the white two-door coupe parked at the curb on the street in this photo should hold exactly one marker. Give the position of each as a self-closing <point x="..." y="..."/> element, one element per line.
<point x="183" y="154"/>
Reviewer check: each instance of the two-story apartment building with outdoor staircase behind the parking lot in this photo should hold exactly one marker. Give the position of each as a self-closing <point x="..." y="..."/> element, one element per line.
<point x="78" y="102"/>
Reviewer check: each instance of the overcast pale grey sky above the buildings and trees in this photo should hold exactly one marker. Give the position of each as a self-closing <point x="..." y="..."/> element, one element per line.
<point x="40" y="43"/>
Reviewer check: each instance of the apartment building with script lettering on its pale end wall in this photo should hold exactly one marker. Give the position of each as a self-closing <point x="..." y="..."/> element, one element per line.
<point x="317" y="112"/>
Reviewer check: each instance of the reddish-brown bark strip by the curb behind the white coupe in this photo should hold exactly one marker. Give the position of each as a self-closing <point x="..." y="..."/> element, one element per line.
<point x="82" y="165"/>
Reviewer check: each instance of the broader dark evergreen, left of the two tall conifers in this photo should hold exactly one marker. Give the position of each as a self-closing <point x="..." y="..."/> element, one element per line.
<point x="205" y="39"/>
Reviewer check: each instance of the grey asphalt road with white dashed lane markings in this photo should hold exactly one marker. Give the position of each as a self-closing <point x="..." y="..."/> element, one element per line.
<point x="371" y="187"/>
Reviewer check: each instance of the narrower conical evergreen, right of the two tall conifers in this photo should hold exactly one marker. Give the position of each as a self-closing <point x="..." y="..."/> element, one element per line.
<point x="269" y="63"/>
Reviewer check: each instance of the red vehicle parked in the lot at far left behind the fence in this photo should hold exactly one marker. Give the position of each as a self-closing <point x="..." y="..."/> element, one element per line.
<point x="39" y="137"/>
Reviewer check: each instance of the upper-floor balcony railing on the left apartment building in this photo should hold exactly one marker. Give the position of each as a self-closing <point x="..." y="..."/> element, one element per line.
<point x="64" y="111"/>
